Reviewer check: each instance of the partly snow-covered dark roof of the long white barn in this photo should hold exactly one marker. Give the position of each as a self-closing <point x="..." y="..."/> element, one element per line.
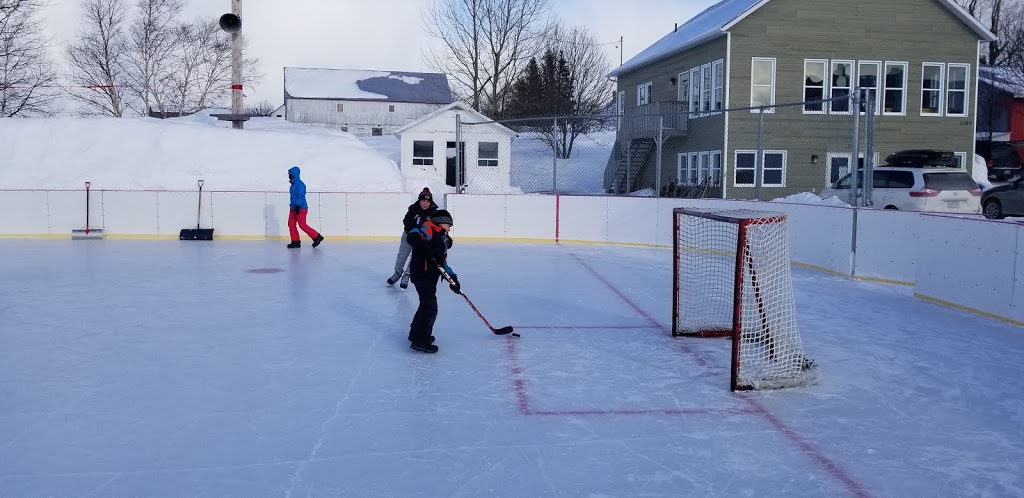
<point x="340" y="85"/>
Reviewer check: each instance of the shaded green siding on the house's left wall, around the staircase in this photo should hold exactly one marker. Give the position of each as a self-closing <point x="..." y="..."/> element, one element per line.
<point x="705" y="134"/>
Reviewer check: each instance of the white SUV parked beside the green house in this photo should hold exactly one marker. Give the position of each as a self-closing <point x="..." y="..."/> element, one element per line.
<point x="916" y="189"/>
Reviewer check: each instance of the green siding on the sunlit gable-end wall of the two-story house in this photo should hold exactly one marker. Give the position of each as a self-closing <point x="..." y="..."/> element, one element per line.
<point x="792" y="31"/>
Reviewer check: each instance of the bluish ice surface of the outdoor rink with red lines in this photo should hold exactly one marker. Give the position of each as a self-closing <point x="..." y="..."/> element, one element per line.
<point x="168" y="368"/>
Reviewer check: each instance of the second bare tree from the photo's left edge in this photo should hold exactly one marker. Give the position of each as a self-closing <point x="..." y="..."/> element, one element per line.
<point x="97" y="59"/>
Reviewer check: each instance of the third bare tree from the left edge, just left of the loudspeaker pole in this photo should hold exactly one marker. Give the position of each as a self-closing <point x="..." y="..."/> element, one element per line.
<point x="151" y="43"/>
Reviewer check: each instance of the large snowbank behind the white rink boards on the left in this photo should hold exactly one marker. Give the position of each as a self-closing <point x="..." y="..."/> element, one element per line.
<point x="151" y="154"/>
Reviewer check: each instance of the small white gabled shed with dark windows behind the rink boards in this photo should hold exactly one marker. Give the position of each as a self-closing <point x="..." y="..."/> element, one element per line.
<point x="430" y="145"/>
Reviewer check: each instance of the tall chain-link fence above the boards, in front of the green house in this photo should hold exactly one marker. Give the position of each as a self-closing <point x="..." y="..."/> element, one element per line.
<point x="665" y="150"/>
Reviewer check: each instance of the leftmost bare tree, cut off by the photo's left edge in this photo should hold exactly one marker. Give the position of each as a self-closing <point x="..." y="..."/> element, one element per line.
<point x="27" y="75"/>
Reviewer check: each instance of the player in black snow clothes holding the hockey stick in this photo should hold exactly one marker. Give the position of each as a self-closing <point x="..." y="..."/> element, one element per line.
<point x="431" y="243"/>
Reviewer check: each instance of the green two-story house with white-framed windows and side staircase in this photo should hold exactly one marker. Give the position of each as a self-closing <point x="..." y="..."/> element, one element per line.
<point x="701" y="91"/>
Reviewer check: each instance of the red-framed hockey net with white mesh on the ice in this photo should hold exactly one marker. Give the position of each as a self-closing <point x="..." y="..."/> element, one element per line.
<point x="733" y="279"/>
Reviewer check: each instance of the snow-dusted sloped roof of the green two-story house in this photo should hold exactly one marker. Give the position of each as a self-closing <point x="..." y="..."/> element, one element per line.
<point x="717" y="20"/>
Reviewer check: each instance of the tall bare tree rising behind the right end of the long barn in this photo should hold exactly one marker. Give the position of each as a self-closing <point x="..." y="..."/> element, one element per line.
<point x="485" y="46"/>
